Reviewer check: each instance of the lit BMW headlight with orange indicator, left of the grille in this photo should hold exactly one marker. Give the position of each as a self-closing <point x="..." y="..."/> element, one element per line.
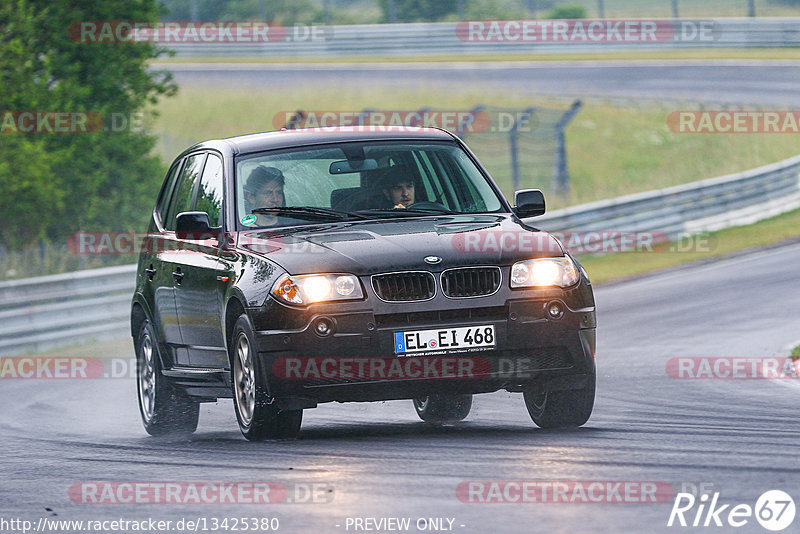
<point x="312" y="288"/>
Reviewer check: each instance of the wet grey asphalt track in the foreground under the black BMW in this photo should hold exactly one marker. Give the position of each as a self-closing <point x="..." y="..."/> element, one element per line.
<point x="743" y="436"/>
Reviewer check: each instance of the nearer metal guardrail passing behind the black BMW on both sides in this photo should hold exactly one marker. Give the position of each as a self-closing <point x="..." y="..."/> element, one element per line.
<point x="41" y="313"/>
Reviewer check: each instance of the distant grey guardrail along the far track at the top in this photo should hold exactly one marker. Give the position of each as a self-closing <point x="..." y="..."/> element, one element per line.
<point x="441" y="38"/>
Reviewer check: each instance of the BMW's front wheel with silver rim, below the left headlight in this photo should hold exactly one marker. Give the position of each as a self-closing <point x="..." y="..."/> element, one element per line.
<point x="258" y="416"/>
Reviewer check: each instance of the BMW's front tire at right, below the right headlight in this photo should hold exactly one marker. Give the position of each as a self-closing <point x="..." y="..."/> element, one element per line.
<point x="561" y="409"/>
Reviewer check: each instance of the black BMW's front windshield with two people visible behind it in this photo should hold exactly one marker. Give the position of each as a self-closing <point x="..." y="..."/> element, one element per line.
<point x="356" y="181"/>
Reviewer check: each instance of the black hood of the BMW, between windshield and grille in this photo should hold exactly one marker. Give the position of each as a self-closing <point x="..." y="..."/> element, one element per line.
<point x="369" y="247"/>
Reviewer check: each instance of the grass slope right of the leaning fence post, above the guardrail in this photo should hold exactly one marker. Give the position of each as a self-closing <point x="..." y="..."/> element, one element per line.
<point x="615" y="151"/>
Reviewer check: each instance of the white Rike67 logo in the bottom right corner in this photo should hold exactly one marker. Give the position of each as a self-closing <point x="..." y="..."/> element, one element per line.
<point x="774" y="510"/>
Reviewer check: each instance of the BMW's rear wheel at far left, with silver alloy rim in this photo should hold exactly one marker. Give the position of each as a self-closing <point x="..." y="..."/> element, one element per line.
<point x="165" y="409"/>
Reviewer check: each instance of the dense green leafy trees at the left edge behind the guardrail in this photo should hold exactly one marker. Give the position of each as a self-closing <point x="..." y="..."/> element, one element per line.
<point x="53" y="184"/>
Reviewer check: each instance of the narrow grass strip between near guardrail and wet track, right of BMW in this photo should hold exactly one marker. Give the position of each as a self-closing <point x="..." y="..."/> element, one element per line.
<point x="613" y="267"/>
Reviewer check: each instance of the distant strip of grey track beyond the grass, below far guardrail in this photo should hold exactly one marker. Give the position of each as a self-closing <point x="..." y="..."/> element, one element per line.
<point x="741" y="82"/>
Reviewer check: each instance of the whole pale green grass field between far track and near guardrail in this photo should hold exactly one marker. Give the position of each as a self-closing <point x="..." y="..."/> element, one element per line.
<point x="612" y="151"/>
